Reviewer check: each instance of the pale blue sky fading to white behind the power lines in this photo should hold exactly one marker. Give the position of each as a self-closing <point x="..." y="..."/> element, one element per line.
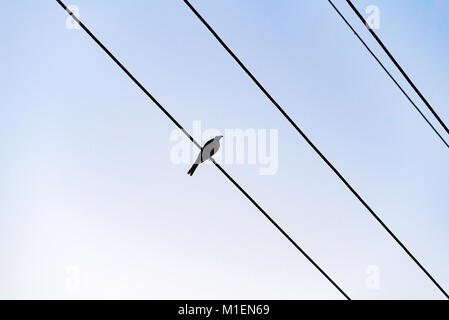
<point x="93" y="207"/>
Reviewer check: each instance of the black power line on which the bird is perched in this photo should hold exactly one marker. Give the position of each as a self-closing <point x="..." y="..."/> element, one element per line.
<point x="199" y="146"/>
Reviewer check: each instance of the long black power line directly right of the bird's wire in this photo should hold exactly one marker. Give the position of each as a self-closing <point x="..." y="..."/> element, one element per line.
<point x="274" y="102"/>
